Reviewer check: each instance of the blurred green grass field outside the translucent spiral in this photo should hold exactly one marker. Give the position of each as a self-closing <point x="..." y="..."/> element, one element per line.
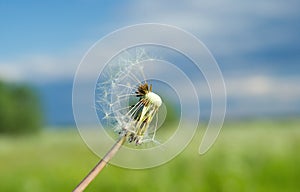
<point x="248" y="156"/>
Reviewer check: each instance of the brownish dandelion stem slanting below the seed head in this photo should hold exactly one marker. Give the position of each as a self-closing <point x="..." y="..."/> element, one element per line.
<point x="100" y="165"/>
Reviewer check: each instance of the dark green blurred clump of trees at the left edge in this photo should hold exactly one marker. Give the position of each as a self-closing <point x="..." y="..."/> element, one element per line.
<point x="20" y="109"/>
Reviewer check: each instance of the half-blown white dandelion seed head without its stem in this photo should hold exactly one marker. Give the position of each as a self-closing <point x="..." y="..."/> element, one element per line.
<point x="126" y="101"/>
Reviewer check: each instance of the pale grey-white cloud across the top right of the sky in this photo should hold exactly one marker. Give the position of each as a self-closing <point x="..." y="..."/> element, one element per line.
<point x="227" y="27"/>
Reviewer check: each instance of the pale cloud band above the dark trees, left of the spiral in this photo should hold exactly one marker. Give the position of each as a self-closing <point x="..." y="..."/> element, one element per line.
<point x="38" y="67"/>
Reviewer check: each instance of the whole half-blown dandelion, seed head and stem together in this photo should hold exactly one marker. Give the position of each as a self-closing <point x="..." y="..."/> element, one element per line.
<point x="132" y="122"/>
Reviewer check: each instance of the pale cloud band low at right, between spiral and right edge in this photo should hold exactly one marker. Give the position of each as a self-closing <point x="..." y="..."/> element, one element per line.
<point x="258" y="95"/>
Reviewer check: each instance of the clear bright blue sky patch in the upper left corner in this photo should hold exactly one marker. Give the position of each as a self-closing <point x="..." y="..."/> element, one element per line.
<point x="51" y="26"/>
